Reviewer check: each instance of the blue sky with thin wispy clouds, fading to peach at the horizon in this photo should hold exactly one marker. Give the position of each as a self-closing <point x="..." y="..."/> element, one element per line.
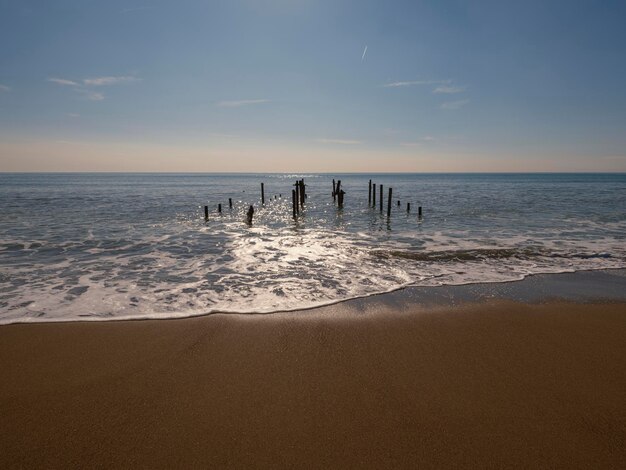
<point x="312" y="86"/>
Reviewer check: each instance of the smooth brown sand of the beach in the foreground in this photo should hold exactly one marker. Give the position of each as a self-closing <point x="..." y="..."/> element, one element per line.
<point x="489" y="385"/>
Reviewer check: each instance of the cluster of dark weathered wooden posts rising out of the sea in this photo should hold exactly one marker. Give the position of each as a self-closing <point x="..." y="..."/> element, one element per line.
<point x="298" y="199"/>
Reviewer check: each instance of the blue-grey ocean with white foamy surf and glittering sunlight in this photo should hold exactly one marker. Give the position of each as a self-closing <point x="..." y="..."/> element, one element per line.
<point x="118" y="246"/>
